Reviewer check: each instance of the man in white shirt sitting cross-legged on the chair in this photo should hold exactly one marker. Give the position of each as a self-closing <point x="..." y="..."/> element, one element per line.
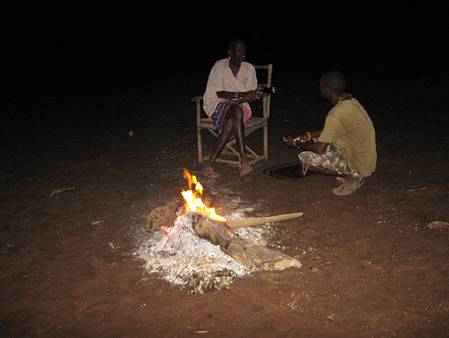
<point x="231" y="86"/>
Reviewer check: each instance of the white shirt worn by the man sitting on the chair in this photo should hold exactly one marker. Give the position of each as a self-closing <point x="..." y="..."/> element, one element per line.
<point x="221" y="78"/>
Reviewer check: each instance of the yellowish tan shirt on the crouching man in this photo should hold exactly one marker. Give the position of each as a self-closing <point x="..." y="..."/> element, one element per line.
<point x="349" y="127"/>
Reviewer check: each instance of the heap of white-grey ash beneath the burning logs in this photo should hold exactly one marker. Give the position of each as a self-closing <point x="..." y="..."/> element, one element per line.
<point x="187" y="260"/>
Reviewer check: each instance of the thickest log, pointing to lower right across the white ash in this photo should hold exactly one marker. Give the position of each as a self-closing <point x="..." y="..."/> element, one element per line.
<point x="247" y="253"/>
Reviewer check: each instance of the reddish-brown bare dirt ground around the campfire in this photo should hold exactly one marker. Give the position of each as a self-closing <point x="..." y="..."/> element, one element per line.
<point x="371" y="266"/>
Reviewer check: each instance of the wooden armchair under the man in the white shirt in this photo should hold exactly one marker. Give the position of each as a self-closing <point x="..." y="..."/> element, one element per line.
<point x="255" y="123"/>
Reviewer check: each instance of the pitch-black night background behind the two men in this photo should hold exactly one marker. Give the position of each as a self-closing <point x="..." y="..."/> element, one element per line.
<point x="137" y="62"/>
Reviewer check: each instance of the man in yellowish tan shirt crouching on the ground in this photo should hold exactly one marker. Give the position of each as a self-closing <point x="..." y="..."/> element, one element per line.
<point x="346" y="147"/>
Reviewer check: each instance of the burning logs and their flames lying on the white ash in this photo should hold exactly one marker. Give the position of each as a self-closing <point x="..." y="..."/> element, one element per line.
<point x="218" y="230"/>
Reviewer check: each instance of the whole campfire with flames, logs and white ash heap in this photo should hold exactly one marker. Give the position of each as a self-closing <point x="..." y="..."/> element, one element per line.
<point x="193" y="246"/>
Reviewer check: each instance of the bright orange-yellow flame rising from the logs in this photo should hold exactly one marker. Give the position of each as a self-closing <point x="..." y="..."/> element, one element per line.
<point x="193" y="199"/>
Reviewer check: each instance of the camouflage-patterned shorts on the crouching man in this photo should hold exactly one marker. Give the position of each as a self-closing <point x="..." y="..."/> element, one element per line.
<point x="332" y="160"/>
